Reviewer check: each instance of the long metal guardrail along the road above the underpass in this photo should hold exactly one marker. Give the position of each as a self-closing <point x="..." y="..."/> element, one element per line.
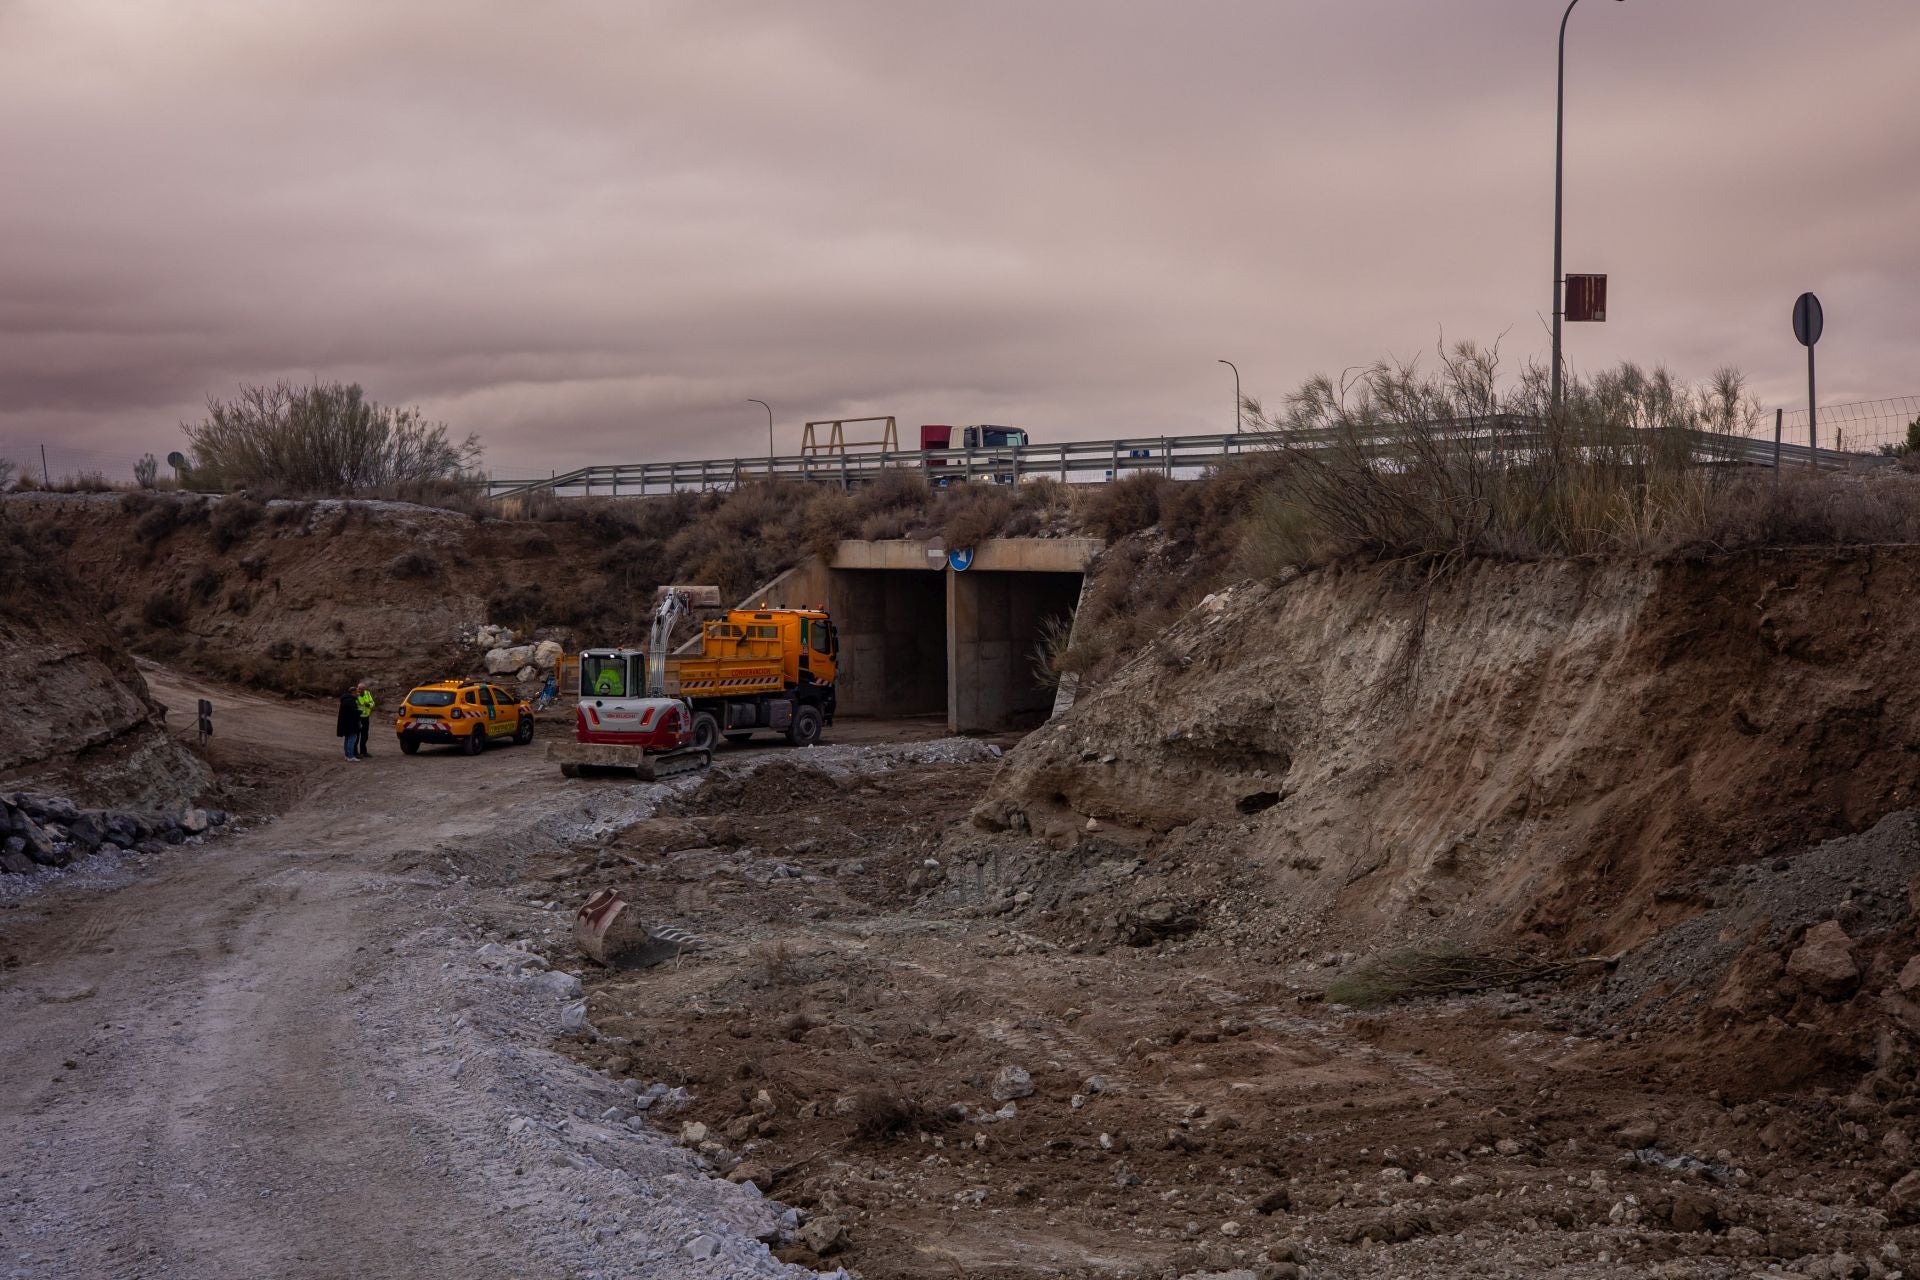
<point x="1078" y="462"/>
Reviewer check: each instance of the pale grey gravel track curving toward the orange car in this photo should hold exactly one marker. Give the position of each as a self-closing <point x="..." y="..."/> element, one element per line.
<point x="274" y="1056"/>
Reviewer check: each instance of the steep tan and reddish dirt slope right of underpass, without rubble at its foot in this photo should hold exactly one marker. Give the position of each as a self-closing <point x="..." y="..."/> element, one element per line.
<point x="1522" y="749"/>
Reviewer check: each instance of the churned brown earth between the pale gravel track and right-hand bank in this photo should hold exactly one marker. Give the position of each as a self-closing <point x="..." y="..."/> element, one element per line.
<point x="846" y="1039"/>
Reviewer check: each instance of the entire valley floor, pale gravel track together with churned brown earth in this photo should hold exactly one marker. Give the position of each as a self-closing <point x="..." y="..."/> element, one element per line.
<point x="320" y="1049"/>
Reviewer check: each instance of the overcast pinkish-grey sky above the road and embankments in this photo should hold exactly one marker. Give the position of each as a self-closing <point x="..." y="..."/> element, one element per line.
<point x="592" y="231"/>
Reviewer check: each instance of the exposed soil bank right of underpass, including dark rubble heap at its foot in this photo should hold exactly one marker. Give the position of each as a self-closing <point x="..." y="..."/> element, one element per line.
<point x="1556" y="759"/>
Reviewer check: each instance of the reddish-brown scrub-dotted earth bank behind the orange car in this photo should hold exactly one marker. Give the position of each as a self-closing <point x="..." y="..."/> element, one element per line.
<point x="308" y="598"/>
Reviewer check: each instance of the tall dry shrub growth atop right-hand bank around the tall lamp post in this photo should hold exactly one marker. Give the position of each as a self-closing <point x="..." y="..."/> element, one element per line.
<point x="1441" y="467"/>
